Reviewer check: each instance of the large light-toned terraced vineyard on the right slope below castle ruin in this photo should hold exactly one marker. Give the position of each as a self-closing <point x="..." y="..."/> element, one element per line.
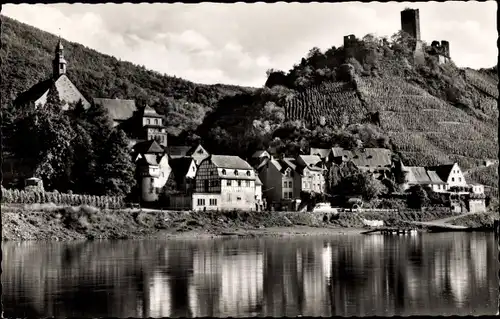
<point x="426" y="129"/>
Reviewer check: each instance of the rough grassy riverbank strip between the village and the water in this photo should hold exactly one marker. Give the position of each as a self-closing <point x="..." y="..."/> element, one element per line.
<point x="50" y="222"/>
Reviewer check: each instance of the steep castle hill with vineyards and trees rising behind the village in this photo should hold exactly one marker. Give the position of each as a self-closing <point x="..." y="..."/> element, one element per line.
<point x="431" y="113"/>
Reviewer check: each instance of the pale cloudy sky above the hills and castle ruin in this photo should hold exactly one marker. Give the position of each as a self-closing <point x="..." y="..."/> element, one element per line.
<point x="237" y="43"/>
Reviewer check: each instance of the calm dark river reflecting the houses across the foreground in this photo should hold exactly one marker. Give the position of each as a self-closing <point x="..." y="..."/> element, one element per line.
<point x="362" y="275"/>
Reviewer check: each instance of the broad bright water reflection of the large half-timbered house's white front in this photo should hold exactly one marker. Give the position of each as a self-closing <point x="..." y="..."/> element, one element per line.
<point x="242" y="284"/>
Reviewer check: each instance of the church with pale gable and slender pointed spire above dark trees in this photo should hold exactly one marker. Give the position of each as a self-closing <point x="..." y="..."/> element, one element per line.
<point x="67" y="91"/>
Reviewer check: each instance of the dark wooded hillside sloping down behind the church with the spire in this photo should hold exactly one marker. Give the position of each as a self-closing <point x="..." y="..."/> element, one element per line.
<point x="26" y="58"/>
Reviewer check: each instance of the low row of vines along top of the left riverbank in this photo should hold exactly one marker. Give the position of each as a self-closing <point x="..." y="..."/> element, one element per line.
<point x="15" y="196"/>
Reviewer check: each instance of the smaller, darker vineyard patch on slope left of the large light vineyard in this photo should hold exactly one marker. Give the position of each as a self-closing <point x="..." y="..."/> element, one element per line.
<point x="337" y="102"/>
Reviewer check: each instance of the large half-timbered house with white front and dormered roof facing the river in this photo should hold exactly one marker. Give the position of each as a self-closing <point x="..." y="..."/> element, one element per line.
<point x="224" y="182"/>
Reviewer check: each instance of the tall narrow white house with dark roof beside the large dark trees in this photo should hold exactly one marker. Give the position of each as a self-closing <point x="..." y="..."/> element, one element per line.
<point x="152" y="169"/>
